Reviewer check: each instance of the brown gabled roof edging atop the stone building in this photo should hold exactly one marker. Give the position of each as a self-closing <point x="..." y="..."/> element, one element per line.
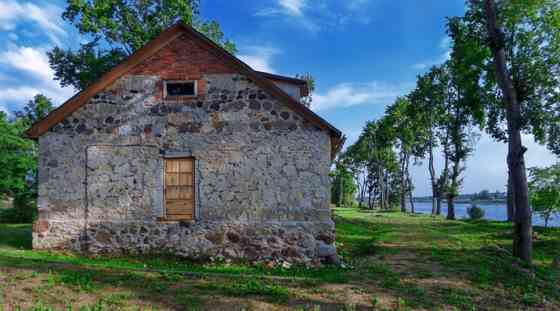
<point x="259" y="78"/>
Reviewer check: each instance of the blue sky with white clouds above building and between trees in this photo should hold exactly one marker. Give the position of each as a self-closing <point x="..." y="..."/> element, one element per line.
<point x="363" y="53"/>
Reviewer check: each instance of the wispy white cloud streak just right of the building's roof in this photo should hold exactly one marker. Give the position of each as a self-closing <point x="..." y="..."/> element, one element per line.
<point x="353" y="94"/>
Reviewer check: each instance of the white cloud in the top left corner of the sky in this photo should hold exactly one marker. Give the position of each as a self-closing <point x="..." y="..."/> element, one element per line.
<point x="46" y="16"/>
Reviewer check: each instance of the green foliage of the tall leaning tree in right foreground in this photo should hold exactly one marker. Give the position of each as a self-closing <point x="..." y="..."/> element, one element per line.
<point x="531" y="39"/>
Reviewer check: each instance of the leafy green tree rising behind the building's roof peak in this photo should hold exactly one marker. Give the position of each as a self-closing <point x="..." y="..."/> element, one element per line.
<point x="117" y="28"/>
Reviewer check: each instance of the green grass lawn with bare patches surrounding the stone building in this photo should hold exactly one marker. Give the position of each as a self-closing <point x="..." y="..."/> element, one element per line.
<point x="397" y="262"/>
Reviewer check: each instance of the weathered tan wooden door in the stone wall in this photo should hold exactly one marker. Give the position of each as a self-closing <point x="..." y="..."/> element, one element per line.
<point x="179" y="189"/>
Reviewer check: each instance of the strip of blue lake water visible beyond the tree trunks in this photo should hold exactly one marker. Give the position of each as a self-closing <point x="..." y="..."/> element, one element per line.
<point x="492" y="211"/>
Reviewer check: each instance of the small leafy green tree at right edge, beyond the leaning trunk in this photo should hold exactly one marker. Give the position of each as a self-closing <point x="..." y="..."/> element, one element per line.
<point x="544" y="189"/>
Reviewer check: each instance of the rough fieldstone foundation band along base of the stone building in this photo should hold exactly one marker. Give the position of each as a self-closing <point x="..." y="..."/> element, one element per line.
<point x="294" y="242"/>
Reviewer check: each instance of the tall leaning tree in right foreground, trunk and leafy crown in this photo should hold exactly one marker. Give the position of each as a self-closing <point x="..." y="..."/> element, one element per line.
<point x="521" y="87"/>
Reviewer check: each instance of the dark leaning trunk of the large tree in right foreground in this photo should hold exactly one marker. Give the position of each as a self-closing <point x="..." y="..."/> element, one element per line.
<point x="522" y="228"/>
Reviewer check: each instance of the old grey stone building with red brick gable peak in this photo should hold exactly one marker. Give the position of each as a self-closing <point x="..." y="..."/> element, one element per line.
<point x="183" y="148"/>
